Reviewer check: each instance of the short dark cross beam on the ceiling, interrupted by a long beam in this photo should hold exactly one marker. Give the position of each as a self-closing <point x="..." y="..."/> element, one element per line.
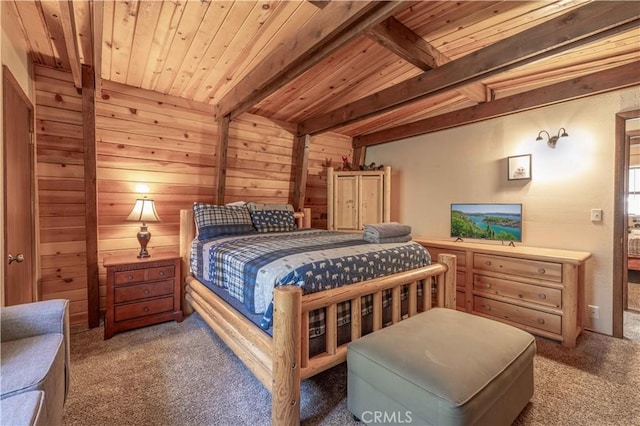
<point x="408" y="45"/>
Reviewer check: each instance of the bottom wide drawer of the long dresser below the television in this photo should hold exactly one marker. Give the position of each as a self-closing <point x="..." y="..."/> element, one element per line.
<point x="519" y="314"/>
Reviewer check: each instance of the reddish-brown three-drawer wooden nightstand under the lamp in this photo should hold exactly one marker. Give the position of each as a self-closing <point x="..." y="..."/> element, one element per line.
<point x="141" y="292"/>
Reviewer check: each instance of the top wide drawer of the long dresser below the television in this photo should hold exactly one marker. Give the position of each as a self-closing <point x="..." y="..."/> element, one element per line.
<point x="527" y="268"/>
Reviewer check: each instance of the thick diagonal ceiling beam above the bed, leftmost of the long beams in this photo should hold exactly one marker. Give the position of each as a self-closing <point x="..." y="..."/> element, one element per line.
<point x="336" y="24"/>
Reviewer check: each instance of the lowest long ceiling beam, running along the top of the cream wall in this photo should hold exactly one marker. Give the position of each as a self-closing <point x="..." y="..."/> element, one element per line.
<point x="599" y="82"/>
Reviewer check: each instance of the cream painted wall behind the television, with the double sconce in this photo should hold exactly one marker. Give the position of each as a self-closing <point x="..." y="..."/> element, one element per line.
<point x="468" y="165"/>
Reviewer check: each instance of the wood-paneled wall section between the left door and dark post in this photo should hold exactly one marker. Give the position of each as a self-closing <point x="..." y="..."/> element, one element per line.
<point x="61" y="196"/>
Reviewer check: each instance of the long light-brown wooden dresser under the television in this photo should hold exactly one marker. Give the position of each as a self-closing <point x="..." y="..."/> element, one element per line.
<point x="536" y="289"/>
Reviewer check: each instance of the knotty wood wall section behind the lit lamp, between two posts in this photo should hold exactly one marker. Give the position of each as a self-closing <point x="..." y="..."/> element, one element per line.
<point x="163" y="142"/>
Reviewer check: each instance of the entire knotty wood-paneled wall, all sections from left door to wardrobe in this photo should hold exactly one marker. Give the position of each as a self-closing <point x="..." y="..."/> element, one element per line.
<point x="165" y="143"/>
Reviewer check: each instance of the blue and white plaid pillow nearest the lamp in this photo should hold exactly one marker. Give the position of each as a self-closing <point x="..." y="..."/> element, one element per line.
<point x="213" y="221"/>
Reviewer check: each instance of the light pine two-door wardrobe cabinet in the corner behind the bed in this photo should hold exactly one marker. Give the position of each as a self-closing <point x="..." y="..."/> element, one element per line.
<point x="355" y="198"/>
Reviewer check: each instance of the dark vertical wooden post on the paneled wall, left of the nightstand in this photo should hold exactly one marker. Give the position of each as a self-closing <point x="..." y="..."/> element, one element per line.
<point x="90" y="194"/>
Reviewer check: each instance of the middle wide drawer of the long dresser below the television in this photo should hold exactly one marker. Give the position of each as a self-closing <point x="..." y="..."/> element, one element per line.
<point x="519" y="291"/>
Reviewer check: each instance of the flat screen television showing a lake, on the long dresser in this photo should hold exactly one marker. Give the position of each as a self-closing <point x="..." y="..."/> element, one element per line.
<point x="501" y="222"/>
